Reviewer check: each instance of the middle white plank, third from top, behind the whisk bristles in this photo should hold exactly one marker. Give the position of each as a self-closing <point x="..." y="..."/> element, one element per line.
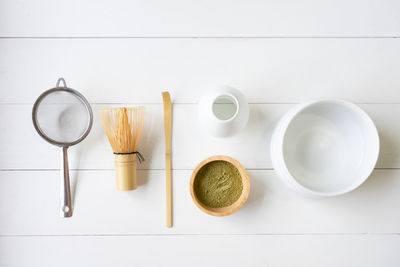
<point x="190" y="144"/>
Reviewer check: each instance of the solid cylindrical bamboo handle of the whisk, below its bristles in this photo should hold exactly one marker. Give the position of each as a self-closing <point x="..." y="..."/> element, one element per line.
<point x="125" y="172"/>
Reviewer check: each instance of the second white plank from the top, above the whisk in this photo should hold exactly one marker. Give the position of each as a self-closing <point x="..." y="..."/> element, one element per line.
<point x="268" y="70"/>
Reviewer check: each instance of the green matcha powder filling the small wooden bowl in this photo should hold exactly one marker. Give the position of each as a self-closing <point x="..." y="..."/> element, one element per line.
<point x="218" y="184"/>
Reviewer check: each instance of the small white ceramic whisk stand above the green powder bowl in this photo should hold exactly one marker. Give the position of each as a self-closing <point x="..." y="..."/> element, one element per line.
<point x="223" y="112"/>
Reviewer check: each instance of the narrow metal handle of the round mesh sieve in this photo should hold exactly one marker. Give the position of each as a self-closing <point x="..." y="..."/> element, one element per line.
<point x="65" y="190"/>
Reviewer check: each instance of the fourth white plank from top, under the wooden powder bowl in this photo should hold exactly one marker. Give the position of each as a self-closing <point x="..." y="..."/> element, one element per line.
<point x="272" y="208"/>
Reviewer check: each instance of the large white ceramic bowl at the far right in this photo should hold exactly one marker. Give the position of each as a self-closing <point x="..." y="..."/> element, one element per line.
<point x="325" y="147"/>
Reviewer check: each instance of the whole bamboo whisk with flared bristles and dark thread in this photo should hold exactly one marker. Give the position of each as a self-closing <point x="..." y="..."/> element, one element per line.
<point x="123" y="127"/>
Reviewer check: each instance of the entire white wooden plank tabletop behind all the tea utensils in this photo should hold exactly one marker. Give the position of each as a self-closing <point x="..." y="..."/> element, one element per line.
<point x="126" y="52"/>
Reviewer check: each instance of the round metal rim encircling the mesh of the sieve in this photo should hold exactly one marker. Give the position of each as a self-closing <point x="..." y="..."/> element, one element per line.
<point x="77" y="95"/>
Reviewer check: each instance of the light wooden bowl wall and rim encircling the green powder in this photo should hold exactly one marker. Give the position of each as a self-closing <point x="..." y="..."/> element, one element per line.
<point x="229" y="209"/>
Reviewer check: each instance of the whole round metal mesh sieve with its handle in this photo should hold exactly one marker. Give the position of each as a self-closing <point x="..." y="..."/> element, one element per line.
<point x="63" y="117"/>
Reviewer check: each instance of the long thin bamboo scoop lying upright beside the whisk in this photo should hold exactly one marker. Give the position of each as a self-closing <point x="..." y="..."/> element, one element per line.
<point x="168" y="134"/>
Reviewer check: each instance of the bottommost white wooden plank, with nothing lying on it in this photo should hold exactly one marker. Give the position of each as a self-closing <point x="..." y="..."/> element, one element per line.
<point x="204" y="250"/>
